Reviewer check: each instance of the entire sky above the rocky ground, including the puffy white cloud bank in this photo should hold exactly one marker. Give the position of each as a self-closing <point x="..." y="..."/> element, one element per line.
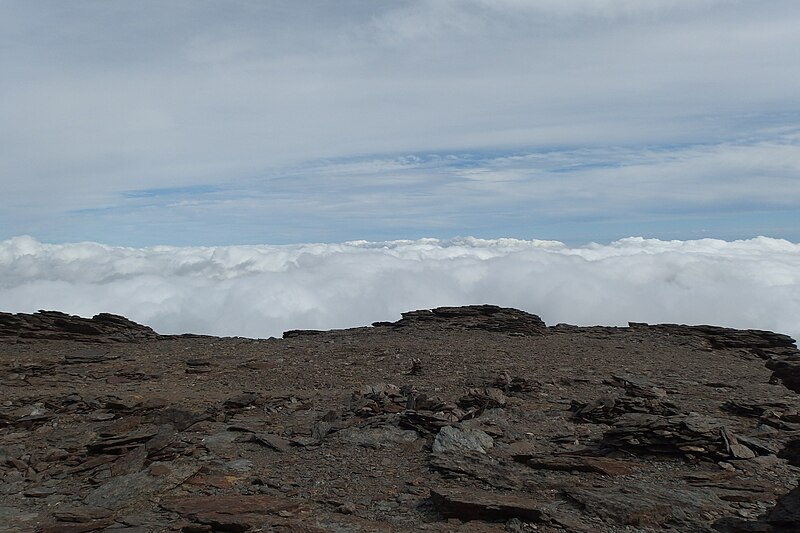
<point x="242" y="167"/>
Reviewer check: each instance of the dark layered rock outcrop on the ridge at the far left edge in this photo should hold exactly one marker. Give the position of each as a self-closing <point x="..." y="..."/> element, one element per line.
<point x="55" y="325"/>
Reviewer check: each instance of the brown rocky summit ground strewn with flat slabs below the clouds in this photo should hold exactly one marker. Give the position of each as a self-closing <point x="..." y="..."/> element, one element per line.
<point x="465" y="419"/>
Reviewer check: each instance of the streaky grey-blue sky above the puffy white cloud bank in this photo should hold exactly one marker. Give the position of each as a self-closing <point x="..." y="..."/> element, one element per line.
<point x="214" y="123"/>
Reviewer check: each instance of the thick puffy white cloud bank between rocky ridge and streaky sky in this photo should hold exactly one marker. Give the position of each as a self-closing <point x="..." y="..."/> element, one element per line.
<point x="260" y="291"/>
